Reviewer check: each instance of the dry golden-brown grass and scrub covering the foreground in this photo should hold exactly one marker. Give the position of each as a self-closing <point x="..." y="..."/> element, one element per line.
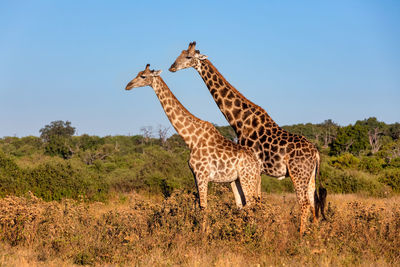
<point x="141" y="230"/>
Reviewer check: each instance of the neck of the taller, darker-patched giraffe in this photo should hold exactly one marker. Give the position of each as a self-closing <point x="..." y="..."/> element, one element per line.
<point x="238" y="110"/>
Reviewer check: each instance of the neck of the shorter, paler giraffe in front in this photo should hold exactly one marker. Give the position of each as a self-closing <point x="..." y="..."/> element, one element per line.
<point x="181" y="119"/>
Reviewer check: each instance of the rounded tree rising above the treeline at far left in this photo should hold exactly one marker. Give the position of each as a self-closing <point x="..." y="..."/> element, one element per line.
<point x="57" y="137"/>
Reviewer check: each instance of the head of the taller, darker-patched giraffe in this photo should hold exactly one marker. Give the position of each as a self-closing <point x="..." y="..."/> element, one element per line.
<point x="188" y="58"/>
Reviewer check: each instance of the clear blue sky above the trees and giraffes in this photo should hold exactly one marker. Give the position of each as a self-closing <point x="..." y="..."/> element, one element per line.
<point x="302" y="61"/>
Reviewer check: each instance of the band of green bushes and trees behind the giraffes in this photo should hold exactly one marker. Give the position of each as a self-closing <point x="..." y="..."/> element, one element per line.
<point x="362" y="158"/>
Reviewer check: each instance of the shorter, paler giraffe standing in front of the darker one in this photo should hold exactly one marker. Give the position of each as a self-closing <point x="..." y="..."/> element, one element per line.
<point x="213" y="158"/>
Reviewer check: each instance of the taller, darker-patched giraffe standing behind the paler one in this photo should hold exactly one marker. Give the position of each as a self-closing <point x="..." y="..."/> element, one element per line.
<point x="280" y="153"/>
